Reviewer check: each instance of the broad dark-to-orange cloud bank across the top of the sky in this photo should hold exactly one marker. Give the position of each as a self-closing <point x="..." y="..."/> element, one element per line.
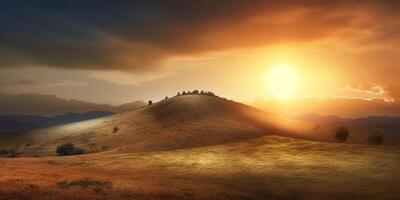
<point x="138" y="35"/>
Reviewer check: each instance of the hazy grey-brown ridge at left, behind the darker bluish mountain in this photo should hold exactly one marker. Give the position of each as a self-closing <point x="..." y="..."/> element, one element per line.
<point x="50" y="105"/>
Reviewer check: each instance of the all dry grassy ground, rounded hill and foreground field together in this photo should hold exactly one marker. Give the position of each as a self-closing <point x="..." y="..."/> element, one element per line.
<point x="197" y="147"/>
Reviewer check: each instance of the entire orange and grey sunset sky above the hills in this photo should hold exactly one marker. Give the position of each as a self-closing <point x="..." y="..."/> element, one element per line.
<point x="120" y="51"/>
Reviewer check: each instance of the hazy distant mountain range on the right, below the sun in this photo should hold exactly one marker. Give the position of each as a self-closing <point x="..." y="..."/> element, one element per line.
<point x="384" y="123"/>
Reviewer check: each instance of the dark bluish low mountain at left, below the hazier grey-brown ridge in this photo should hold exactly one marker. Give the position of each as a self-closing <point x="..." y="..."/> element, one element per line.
<point x="17" y="123"/>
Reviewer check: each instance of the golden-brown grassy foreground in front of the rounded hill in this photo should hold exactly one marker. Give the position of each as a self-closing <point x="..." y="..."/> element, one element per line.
<point x="265" y="168"/>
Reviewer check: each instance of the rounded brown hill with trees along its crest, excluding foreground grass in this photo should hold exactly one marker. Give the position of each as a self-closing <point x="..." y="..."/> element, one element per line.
<point x="178" y="122"/>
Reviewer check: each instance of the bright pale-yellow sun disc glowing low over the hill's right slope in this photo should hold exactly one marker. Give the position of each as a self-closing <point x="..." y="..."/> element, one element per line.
<point x="282" y="82"/>
